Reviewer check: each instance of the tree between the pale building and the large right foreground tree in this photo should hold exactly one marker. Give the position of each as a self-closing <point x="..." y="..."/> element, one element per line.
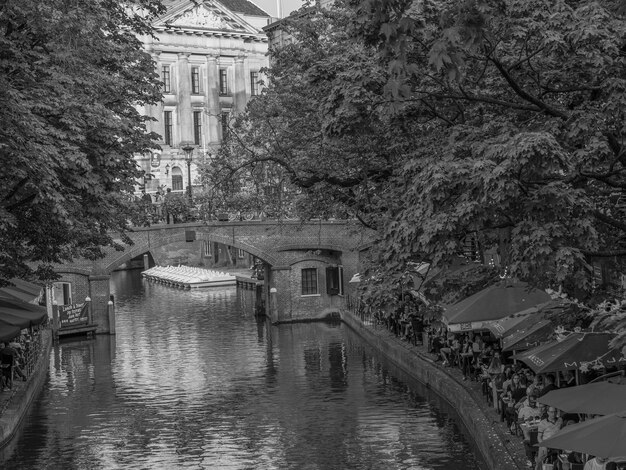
<point x="296" y="132"/>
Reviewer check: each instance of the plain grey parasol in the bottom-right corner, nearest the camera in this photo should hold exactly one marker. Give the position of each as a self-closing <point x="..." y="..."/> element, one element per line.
<point x="604" y="436"/>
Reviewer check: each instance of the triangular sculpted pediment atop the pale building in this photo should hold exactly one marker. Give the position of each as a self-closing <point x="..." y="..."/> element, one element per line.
<point x="206" y="16"/>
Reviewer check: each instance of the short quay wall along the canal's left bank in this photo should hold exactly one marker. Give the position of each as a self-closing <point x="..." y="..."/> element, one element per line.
<point x="15" y="404"/>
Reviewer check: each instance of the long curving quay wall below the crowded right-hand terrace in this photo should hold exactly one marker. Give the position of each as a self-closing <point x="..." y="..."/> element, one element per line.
<point x="498" y="449"/>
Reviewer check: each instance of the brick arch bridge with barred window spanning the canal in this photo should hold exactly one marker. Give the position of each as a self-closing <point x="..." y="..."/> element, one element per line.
<point x="324" y="248"/>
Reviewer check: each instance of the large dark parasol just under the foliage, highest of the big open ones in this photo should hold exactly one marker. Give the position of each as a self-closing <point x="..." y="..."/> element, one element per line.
<point x="494" y="303"/>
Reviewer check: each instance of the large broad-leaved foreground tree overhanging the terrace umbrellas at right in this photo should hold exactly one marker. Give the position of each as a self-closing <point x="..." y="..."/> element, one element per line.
<point x="523" y="139"/>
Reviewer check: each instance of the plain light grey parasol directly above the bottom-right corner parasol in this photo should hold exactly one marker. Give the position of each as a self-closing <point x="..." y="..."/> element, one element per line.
<point x="598" y="398"/>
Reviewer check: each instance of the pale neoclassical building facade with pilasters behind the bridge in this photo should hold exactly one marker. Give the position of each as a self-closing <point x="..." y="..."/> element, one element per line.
<point x="209" y="56"/>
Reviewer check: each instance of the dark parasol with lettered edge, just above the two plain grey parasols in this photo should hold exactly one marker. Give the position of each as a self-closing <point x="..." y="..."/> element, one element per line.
<point x="572" y="353"/>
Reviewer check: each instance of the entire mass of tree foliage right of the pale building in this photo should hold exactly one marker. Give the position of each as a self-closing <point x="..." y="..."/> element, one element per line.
<point x="436" y="121"/>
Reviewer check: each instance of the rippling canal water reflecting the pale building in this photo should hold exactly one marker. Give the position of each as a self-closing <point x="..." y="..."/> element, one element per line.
<point x="192" y="380"/>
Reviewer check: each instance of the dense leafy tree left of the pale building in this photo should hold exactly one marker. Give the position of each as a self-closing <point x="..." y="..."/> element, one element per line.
<point x="71" y="76"/>
